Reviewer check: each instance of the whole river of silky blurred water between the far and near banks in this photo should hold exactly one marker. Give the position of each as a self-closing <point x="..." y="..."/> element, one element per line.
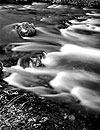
<point x="62" y="61"/>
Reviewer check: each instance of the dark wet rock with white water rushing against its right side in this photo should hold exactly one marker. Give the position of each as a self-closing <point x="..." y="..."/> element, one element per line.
<point x="32" y="60"/>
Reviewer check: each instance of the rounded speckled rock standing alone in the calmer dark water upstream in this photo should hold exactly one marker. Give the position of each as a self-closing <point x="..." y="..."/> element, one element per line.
<point x="25" y="29"/>
